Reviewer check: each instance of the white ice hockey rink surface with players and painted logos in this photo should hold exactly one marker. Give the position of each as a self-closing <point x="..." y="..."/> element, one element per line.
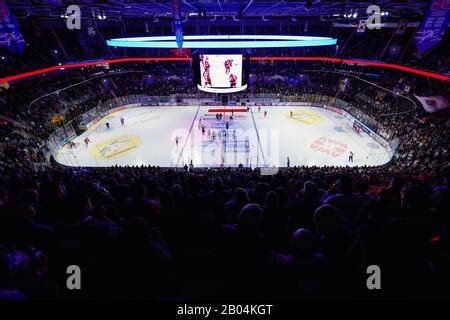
<point x="309" y="136"/>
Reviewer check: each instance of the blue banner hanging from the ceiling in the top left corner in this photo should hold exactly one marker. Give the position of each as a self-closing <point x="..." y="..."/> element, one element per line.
<point x="10" y="36"/>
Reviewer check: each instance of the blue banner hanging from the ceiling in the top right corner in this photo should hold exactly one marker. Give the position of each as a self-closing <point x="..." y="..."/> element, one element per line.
<point x="433" y="26"/>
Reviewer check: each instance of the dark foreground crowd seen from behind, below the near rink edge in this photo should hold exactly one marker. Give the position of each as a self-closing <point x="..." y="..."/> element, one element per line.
<point x="144" y="232"/>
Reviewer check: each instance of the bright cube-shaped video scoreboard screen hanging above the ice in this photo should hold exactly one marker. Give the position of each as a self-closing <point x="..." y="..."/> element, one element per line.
<point x="220" y="73"/>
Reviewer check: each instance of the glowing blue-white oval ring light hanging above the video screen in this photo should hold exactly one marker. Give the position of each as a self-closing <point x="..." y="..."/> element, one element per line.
<point x="223" y="42"/>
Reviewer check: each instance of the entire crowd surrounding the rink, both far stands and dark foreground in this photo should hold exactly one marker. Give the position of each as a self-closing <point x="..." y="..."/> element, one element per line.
<point x="304" y="232"/>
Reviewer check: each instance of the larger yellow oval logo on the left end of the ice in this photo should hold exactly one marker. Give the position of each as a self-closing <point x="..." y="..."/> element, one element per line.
<point x="115" y="147"/>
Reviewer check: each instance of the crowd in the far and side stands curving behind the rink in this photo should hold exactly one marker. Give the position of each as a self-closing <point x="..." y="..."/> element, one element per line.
<point x="68" y="95"/>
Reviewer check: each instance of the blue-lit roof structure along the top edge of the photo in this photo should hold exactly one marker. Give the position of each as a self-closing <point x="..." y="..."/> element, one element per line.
<point x="124" y="9"/>
